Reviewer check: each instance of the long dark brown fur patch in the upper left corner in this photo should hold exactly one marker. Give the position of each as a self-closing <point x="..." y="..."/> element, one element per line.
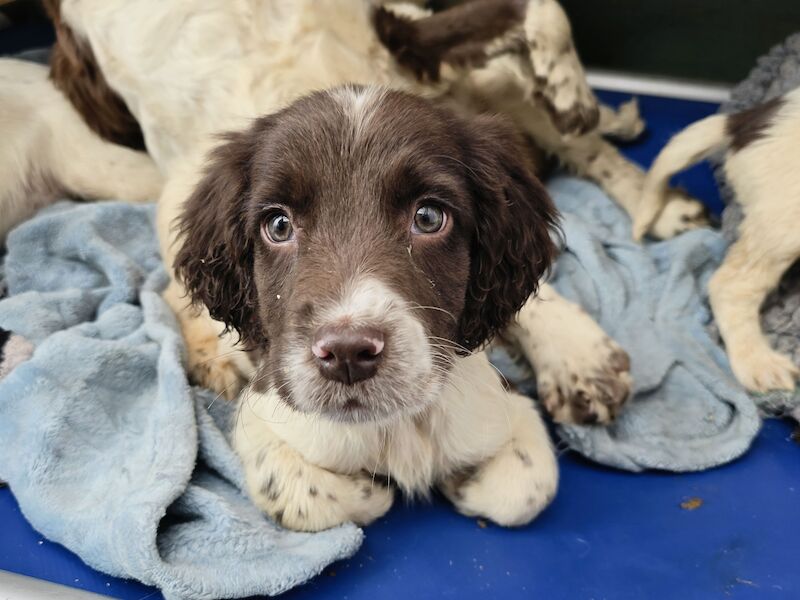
<point x="74" y="70"/>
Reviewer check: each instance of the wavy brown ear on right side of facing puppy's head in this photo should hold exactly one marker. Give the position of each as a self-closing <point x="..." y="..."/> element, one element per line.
<point x="514" y="219"/>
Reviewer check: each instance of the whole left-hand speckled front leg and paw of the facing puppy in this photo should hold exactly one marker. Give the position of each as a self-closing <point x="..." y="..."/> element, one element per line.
<point x="294" y="492"/>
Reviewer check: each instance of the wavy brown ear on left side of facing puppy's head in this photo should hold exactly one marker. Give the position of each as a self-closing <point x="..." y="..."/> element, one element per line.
<point x="215" y="261"/>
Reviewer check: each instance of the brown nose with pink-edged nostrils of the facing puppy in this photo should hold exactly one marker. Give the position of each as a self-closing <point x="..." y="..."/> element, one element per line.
<point x="347" y="354"/>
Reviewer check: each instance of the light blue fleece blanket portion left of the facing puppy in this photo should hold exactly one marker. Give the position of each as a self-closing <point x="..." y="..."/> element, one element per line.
<point x="107" y="449"/>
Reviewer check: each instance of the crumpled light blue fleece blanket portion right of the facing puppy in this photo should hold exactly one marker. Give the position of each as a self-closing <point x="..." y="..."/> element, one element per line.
<point x="688" y="412"/>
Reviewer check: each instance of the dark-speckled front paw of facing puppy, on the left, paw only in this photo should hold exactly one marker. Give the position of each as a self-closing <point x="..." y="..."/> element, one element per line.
<point x="304" y="497"/>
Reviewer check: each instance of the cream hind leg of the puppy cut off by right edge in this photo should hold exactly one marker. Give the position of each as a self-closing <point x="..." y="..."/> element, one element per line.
<point x="753" y="268"/>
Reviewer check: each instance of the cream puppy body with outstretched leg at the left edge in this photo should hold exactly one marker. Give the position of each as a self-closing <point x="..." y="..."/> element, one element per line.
<point x="47" y="151"/>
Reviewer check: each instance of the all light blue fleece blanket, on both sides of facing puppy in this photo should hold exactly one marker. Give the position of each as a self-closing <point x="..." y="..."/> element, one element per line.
<point x="112" y="454"/>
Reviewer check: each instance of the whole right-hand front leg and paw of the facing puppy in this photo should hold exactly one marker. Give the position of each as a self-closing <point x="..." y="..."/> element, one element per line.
<point x="518" y="482"/>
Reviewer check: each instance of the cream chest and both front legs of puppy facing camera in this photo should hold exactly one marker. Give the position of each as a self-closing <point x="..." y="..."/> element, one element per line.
<point x="474" y="422"/>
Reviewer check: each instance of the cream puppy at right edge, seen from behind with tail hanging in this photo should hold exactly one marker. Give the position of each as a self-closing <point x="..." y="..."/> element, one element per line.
<point x="761" y="165"/>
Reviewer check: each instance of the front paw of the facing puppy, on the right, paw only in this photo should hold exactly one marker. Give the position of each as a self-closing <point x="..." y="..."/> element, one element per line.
<point x="510" y="489"/>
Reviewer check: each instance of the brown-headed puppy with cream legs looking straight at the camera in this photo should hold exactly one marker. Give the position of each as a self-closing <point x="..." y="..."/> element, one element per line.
<point x="364" y="243"/>
